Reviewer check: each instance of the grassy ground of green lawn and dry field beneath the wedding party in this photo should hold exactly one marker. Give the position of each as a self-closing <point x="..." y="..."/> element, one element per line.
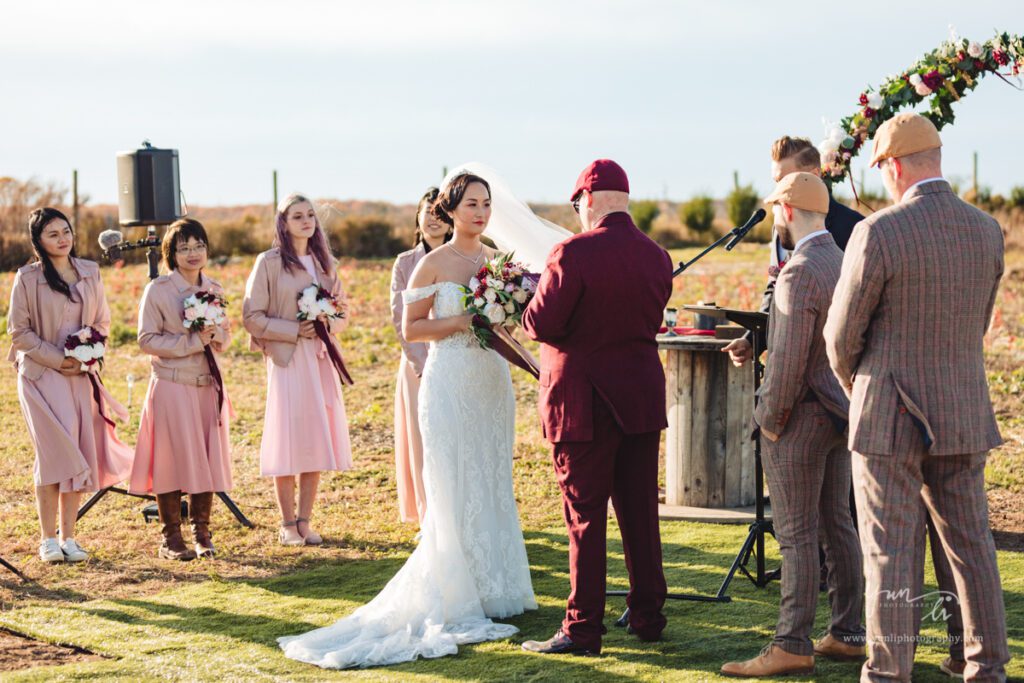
<point x="219" y="620"/>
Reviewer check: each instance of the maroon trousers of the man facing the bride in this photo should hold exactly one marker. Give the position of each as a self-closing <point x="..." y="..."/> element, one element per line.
<point x="623" y="467"/>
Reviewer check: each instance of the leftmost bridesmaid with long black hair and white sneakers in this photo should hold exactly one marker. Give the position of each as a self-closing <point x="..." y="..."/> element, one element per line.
<point x="77" y="449"/>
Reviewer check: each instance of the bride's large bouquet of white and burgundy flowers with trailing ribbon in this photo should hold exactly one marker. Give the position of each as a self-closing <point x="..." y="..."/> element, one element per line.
<point x="498" y="295"/>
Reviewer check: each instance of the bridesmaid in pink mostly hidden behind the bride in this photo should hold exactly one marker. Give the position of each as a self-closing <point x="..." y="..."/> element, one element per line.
<point x="431" y="234"/>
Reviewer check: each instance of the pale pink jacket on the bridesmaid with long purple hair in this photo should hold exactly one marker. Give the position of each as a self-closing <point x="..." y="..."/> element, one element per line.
<point x="272" y="306"/>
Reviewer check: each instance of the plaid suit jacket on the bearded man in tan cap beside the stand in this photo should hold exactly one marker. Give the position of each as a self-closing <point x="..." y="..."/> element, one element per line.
<point x="797" y="361"/>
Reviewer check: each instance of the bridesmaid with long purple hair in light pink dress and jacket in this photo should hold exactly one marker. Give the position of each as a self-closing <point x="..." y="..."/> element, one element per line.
<point x="306" y="431"/>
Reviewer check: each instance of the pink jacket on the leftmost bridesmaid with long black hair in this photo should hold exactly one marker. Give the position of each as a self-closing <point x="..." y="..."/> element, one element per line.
<point x="37" y="312"/>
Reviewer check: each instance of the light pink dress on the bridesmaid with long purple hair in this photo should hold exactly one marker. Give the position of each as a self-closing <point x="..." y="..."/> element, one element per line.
<point x="306" y="429"/>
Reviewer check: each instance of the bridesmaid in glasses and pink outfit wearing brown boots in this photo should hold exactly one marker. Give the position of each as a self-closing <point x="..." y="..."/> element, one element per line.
<point x="183" y="443"/>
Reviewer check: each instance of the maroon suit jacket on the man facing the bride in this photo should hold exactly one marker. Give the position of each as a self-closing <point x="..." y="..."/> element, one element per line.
<point x="598" y="311"/>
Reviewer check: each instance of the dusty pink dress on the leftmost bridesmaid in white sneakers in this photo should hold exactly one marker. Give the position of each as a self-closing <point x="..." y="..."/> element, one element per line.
<point x="75" y="448"/>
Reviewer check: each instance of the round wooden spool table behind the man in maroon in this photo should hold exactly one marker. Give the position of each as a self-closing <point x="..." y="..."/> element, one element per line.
<point x="709" y="458"/>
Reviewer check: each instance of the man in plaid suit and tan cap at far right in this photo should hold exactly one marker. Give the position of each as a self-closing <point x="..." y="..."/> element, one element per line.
<point x="905" y="337"/>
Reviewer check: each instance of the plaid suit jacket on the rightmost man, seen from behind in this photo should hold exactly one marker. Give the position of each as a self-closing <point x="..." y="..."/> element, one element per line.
<point x="907" y="325"/>
